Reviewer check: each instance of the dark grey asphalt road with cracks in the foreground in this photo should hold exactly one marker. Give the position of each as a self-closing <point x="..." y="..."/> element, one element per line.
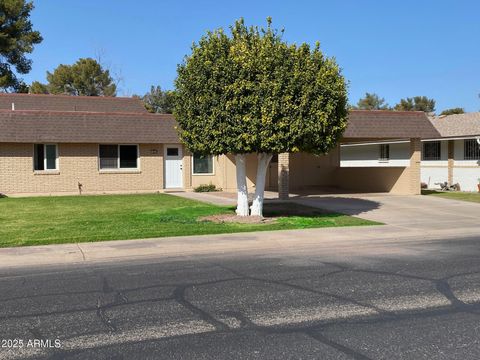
<point x="413" y="300"/>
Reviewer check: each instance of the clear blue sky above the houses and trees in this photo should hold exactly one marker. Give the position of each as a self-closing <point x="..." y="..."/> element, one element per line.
<point x="394" y="48"/>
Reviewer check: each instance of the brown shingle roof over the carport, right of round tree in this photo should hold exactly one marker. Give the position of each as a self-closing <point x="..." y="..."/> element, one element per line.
<point x="387" y="124"/>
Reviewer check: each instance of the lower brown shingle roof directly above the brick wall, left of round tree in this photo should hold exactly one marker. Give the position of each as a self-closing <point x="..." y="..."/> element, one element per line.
<point x="30" y="126"/>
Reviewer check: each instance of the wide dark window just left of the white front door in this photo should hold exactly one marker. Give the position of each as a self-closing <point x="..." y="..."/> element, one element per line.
<point x="118" y="157"/>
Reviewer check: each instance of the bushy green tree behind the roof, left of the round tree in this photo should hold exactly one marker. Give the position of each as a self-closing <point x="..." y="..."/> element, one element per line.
<point x="85" y="77"/>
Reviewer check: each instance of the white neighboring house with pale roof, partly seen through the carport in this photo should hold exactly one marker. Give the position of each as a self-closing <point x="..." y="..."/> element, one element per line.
<point x="452" y="157"/>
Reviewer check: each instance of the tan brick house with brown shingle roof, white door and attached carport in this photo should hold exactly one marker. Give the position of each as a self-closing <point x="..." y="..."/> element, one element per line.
<point x="52" y="144"/>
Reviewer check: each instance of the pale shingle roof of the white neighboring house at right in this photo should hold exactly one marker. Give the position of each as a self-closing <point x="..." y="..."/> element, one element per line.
<point x="458" y="125"/>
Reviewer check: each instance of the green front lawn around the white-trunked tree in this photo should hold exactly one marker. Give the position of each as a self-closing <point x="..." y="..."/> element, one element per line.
<point x="70" y="219"/>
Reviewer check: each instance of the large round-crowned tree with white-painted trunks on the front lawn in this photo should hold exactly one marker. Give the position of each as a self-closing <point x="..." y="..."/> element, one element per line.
<point x="251" y="92"/>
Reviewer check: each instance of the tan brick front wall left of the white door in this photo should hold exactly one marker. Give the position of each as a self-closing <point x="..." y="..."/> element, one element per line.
<point x="77" y="163"/>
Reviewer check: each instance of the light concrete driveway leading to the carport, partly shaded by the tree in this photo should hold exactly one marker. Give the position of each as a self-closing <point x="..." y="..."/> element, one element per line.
<point x="413" y="212"/>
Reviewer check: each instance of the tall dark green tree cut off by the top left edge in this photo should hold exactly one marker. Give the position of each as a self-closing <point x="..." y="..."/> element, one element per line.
<point x="17" y="38"/>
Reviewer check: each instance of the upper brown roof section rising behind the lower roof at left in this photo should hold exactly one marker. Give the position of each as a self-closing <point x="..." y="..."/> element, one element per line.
<point x="71" y="103"/>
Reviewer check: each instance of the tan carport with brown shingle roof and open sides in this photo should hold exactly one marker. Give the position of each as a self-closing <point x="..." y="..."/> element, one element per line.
<point x="305" y="172"/>
